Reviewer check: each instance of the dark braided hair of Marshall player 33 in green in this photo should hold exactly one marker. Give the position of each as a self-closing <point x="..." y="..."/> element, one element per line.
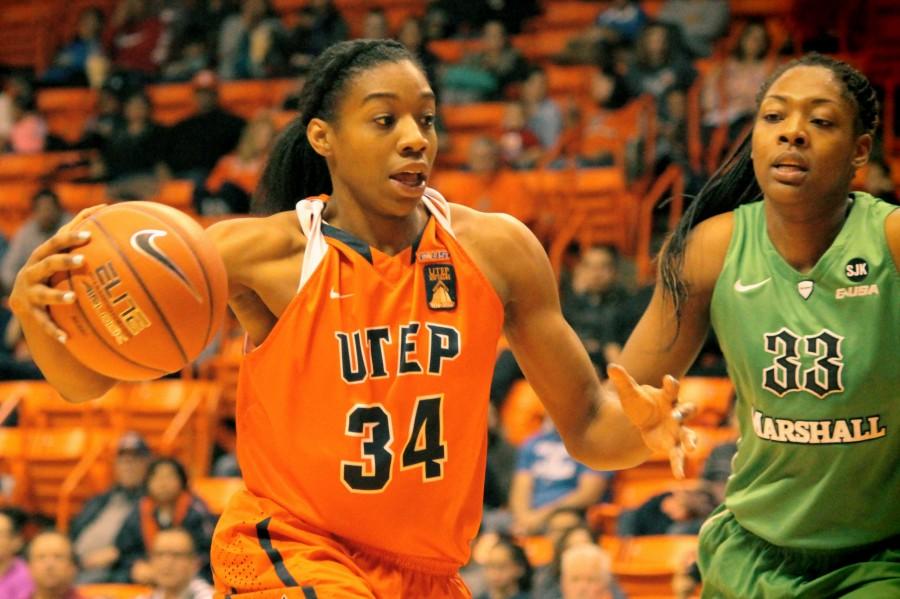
<point x="734" y="183"/>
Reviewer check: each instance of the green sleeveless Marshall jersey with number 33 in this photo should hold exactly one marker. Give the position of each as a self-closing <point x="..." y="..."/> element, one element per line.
<point x="815" y="359"/>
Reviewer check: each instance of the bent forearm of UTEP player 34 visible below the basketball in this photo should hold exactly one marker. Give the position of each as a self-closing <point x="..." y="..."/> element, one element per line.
<point x="74" y="381"/>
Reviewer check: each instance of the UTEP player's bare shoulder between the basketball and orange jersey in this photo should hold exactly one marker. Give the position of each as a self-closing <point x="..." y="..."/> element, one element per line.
<point x="249" y="243"/>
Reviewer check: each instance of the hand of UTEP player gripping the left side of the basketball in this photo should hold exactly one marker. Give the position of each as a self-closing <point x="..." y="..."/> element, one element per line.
<point x="31" y="293"/>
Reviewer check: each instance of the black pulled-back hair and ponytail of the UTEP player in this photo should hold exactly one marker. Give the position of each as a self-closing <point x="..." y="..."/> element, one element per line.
<point x="294" y="170"/>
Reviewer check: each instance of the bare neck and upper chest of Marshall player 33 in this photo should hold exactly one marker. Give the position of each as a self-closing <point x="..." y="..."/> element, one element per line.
<point x="802" y="233"/>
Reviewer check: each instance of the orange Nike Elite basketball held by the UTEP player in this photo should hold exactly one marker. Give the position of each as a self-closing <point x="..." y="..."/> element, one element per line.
<point x="150" y="295"/>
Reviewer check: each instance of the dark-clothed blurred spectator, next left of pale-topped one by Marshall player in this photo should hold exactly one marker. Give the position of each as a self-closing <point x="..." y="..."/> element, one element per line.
<point x="658" y="66"/>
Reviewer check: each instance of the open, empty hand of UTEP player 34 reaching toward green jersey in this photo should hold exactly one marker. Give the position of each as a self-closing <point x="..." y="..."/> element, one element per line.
<point x="657" y="414"/>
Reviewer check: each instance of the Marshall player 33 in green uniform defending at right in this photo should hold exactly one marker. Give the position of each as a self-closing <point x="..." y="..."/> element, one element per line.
<point x="800" y="279"/>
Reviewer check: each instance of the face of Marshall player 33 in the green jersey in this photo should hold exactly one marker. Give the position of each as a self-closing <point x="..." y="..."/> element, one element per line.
<point x="804" y="144"/>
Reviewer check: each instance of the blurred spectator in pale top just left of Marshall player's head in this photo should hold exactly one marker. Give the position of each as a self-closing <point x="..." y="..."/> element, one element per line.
<point x="729" y="91"/>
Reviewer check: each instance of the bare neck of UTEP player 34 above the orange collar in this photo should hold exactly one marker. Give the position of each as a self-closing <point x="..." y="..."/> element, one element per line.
<point x="387" y="234"/>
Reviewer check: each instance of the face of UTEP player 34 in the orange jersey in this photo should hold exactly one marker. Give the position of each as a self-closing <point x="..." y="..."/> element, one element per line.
<point x="383" y="143"/>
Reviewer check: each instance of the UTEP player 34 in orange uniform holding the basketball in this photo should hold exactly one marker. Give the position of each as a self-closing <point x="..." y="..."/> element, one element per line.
<point x="375" y="315"/>
